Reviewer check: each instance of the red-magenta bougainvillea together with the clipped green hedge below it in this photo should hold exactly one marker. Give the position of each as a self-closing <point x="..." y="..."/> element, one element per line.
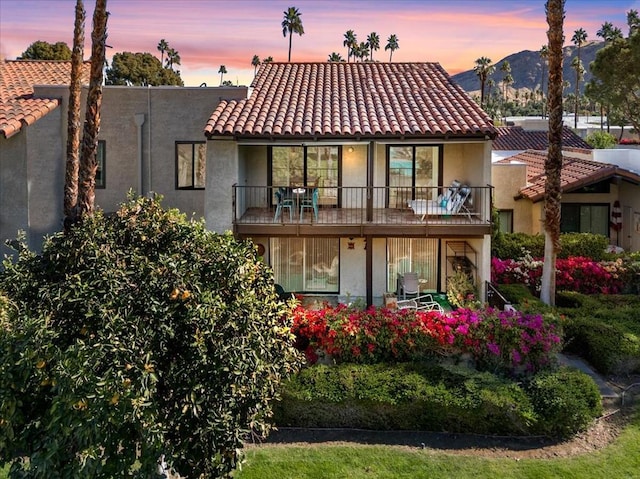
<point x="475" y="371"/>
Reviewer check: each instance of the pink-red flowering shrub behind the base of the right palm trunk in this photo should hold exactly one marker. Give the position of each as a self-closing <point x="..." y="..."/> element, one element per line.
<point x="577" y="273"/>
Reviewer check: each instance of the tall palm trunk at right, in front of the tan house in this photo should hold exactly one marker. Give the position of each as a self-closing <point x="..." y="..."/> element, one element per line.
<point x="553" y="164"/>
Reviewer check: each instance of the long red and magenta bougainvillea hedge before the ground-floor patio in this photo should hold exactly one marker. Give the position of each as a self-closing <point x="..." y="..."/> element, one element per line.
<point x="498" y="340"/>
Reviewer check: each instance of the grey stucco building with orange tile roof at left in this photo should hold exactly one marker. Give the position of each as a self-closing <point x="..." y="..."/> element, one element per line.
<point x="150" y="141"/>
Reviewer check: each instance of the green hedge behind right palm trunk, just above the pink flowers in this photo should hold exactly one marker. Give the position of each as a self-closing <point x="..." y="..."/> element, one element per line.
<point x="512" y="245"/>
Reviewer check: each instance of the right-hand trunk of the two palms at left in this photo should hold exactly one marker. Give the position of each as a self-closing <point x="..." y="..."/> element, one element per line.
<point x="88" y="163"/>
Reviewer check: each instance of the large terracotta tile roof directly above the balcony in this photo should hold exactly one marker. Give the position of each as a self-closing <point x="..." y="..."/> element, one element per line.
<point x="307" y="100"/>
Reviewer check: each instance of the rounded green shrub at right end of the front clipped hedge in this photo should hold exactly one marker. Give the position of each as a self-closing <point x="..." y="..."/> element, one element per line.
<point x="565" y="401"/>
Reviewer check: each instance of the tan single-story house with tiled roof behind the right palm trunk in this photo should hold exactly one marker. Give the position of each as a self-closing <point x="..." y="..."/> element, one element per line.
<point x="590" y="190"/>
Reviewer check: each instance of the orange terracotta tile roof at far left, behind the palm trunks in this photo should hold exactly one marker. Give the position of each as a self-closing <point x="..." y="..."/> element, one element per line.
<point x="18" y="106"/>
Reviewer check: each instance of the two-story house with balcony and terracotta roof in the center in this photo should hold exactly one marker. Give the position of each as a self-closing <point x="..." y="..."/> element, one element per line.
<point x="317" y="167"/>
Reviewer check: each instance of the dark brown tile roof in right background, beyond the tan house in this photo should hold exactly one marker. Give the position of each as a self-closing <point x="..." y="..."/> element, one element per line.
<point x="514" y="138"/>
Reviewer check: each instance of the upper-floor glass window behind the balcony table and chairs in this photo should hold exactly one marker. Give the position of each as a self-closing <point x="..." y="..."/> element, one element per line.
<point x="314" y="166"/>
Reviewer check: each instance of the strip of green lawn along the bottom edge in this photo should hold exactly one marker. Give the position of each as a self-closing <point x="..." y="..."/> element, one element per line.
<point x="620" y="460"/>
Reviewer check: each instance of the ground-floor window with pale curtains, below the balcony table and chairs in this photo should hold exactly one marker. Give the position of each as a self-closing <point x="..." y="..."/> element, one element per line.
<point x="306" y="264"/>
